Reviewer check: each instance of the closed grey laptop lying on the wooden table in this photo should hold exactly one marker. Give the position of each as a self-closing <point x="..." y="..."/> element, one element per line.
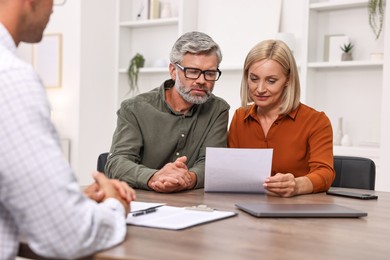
<point x="261" y="210"/>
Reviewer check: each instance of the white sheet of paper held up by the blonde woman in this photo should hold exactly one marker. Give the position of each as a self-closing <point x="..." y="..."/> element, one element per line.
<point x="237" y="169"/>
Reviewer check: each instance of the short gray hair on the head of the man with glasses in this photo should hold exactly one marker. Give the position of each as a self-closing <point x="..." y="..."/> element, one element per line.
<point x="195" y="43"/>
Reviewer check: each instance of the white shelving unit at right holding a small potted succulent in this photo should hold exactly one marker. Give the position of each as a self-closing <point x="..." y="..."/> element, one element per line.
<point x="348" y="89"/>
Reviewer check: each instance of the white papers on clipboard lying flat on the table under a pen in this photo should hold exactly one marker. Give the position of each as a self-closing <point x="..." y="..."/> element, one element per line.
<point x="174" y="218"/>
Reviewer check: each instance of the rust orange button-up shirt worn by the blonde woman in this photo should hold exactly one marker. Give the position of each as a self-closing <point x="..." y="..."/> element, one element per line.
<point x="302" y="142"/>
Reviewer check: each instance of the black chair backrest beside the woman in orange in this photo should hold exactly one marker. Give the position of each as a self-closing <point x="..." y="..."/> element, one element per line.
<point x="354" y="172"/>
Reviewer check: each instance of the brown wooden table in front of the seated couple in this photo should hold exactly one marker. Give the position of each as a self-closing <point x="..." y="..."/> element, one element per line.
<point x="247" y="237"/>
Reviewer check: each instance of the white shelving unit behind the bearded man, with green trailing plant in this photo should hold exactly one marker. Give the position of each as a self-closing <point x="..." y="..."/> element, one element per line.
<point x="152" y="38"/>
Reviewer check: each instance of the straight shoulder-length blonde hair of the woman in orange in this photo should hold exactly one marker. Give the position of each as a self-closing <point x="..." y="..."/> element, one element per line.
<point x="278" y="51"/>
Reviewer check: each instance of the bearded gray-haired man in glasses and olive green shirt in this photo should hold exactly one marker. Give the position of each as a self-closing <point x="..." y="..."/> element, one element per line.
<point x="161" y="136"/>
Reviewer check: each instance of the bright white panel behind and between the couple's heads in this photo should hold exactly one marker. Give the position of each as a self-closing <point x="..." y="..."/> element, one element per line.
<point x="238" y="25"/>
